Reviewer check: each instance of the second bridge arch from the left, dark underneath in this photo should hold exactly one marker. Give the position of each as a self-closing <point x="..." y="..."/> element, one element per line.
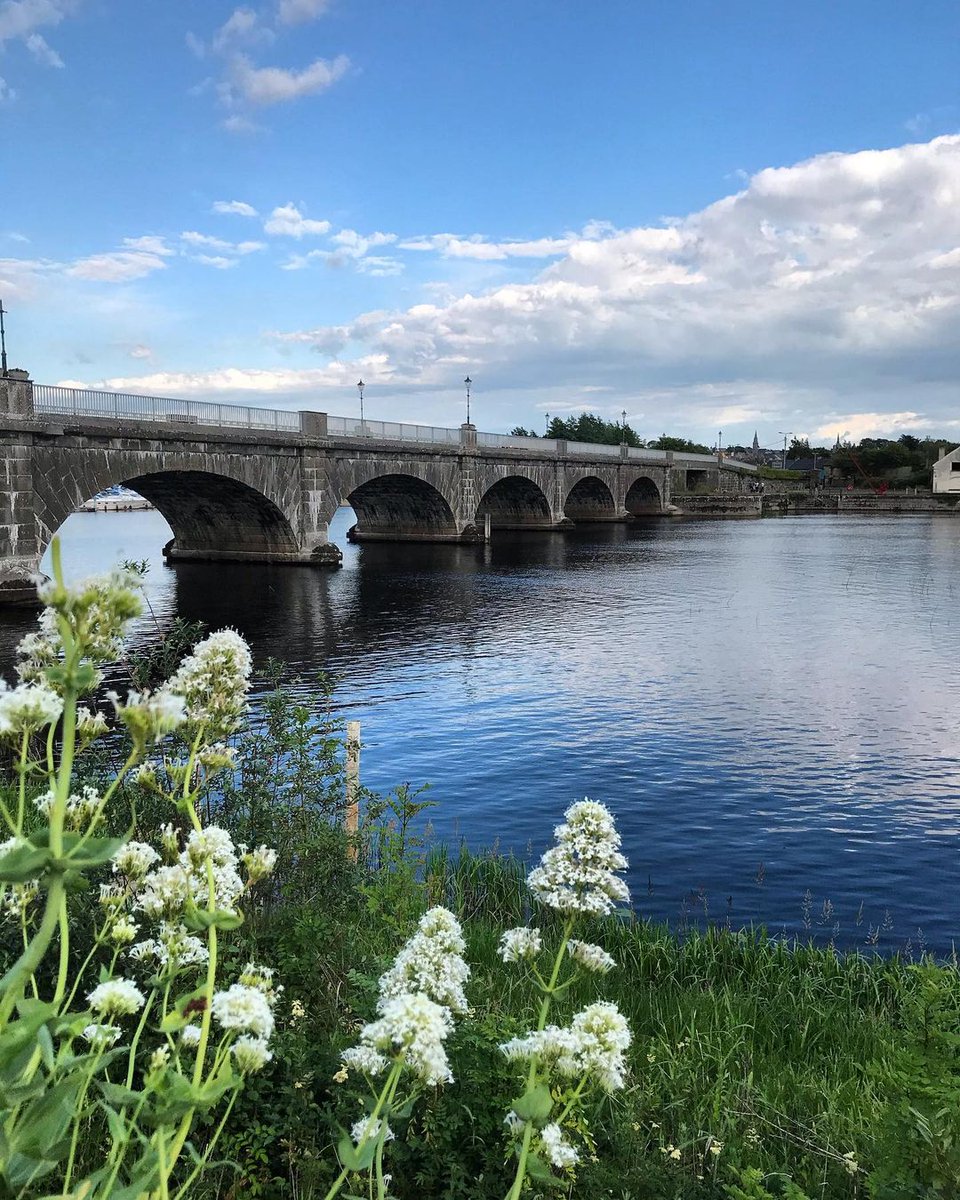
<point x="397" y="506"/>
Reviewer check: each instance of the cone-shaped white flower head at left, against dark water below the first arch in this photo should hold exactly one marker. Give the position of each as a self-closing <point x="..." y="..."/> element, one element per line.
<point x="214" y="682"/>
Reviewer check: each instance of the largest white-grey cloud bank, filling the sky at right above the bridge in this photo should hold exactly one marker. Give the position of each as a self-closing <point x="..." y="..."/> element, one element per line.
<point x="830" y="287"/>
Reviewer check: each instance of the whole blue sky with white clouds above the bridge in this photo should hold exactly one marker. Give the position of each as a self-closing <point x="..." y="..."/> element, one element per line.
<point x="716" y="217"/>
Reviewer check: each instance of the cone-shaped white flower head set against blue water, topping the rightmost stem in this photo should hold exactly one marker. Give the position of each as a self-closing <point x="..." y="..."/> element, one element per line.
<point x="579" y="874"/>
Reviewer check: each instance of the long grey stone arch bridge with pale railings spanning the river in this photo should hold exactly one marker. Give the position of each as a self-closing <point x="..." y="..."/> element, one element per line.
<point x="262" y="485"/>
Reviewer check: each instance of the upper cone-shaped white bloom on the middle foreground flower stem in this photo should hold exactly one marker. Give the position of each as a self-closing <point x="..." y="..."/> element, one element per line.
<point x="431" y="963"/>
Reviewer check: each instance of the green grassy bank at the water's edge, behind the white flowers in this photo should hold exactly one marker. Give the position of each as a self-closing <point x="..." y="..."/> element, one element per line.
<point x="754" y="1060"/>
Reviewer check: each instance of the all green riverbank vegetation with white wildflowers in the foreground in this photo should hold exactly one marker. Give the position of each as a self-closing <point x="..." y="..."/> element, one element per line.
<point x="754" y="1067"/>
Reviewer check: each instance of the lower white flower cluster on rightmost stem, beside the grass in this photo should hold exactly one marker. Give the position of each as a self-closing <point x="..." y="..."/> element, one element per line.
<point x="593" y="1046"/>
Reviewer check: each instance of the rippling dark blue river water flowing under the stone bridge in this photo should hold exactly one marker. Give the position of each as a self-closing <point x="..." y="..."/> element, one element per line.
<point x="772" y="709"/>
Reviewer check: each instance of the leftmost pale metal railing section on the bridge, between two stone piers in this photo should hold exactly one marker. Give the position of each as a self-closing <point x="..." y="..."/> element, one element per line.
<point x="119" y="405"/>
